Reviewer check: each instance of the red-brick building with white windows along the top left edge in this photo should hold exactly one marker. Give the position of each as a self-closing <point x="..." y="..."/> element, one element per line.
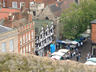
<point x="27" y="3"/>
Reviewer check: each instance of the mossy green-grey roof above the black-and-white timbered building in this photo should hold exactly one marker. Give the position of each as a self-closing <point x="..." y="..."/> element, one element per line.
<point x="41" y="23"/>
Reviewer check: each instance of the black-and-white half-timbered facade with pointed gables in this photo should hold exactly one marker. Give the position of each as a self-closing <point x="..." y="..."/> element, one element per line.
<point x="44" y="38"/>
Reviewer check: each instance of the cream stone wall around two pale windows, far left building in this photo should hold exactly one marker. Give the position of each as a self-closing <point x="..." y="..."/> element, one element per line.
<point x="6" y="37"/>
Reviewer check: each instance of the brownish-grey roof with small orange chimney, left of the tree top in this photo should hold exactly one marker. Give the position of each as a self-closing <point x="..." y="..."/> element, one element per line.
<point x="59" y="7"/>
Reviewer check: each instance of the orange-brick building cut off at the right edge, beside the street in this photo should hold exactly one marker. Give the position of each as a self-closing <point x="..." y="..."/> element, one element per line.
<point x="93" y="36"/>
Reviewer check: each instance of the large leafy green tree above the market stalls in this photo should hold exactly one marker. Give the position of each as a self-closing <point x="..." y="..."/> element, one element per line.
<point x="76" y="19"/>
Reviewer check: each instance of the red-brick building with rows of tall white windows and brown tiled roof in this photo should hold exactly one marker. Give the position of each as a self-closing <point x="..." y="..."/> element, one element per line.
<point x="22" y="22"/>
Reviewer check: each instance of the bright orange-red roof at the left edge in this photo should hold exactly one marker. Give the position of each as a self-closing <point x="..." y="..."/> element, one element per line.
<point x="4" y="12"/>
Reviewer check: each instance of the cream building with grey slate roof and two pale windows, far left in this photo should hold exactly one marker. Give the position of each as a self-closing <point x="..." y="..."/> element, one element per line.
<point x="8" y="39"/>
